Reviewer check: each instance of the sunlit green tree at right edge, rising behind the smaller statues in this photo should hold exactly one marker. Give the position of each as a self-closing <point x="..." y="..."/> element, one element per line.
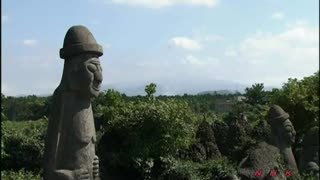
<point x="300" y="98"/>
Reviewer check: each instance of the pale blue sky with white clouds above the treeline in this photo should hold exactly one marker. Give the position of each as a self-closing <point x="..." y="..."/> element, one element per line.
<point x="181" y="45"/>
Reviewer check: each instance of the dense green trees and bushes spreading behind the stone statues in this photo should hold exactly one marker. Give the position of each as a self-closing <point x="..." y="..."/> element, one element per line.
<point x="141" y="136"/>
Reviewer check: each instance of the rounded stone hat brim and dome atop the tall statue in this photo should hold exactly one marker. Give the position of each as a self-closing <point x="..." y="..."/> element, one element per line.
<point x="79" y="40"/>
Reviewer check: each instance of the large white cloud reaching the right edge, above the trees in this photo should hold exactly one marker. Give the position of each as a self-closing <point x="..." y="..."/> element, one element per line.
<point x="301" y="40"/>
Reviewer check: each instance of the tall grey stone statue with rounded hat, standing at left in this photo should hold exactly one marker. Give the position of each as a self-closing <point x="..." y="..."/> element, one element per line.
<point x="70" y="142"/>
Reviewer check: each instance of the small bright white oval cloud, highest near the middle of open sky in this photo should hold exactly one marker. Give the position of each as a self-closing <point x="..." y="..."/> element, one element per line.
<point x="185" y="43"/>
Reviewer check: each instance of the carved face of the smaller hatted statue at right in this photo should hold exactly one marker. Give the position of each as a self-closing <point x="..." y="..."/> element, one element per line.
<point x="287" y="132"/>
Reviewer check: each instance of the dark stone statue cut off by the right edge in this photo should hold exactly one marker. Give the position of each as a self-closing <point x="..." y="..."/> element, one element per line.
<point x="309" y="162"/>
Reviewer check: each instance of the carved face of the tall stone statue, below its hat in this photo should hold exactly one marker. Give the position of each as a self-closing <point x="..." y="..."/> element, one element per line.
<point x="86" y="75"/>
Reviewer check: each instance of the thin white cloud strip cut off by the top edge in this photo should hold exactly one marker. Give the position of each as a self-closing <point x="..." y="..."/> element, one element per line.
<point x="165" y="3"/>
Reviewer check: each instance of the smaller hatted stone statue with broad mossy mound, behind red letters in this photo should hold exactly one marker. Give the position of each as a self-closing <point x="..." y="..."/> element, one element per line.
<point x="267" y="156"/>
